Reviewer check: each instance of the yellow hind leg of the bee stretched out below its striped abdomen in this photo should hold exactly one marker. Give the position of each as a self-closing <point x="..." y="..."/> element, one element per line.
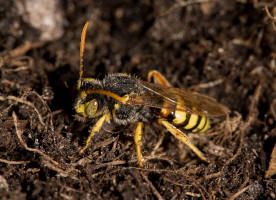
<point x="183" y="138"/>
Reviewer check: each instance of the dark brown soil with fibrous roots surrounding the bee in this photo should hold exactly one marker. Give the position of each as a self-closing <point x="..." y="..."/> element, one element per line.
<point x="227" y="49"/>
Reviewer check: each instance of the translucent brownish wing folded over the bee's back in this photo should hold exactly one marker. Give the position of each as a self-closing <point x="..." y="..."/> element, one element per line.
<point x="157" y="96"/>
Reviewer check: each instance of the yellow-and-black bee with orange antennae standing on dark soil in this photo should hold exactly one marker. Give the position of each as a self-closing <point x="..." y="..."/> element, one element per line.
<point x="123" y="99"/>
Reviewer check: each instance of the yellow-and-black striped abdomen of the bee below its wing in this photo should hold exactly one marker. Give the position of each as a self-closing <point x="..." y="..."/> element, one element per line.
<point x="191" y="122"/>
